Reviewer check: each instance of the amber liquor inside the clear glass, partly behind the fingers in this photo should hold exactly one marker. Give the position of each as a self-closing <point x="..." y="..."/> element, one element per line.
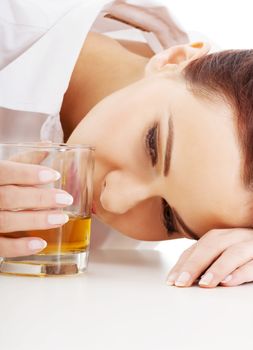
<point x="72" y="237"/>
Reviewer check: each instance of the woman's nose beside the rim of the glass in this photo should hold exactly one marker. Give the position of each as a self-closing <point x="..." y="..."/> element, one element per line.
<point x="123" y="191"/>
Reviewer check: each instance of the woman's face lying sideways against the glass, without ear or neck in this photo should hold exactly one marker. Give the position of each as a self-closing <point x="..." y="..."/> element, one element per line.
<point x="156" y="140"/>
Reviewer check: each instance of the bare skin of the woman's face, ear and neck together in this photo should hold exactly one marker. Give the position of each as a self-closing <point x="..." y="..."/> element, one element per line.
<point x="204" y="182"/>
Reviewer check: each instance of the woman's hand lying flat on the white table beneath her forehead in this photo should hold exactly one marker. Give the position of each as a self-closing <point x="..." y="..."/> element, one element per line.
<point x="220" y="257"/>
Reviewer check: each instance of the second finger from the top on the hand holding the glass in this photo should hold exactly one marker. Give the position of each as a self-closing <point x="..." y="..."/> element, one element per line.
<point x="20" y="198"/>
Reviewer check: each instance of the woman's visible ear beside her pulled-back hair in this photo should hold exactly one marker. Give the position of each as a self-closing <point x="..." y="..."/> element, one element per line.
<point x="176" y="58"/>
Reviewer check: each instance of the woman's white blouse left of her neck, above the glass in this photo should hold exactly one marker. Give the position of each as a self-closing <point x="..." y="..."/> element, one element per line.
<point x="39" y="44"/>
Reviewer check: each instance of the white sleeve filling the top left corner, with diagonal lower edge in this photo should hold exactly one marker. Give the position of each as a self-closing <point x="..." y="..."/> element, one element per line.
<point x="23" y="22"/>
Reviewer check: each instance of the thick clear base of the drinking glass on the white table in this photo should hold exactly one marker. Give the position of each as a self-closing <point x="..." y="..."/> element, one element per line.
<point x="46" y="265"/>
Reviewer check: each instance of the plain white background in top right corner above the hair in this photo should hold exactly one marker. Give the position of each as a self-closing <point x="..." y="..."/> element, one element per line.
<point x="227" y="23"/>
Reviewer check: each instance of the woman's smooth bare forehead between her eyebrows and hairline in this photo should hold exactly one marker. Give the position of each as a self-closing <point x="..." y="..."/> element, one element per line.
<point x="206" y="162"/>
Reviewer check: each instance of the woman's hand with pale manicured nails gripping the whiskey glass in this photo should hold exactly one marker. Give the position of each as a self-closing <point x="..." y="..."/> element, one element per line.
<point x="18" y="196"/>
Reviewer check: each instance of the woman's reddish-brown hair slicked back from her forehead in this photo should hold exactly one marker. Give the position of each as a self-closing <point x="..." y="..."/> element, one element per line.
<point x="229" y="74"/>
